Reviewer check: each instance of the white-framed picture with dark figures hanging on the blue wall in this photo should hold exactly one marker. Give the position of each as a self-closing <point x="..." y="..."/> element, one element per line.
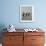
<point x="26" y="13"/>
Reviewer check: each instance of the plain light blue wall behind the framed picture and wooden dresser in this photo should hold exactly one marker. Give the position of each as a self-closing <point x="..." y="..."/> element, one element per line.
<point x="10" y="13"/>
